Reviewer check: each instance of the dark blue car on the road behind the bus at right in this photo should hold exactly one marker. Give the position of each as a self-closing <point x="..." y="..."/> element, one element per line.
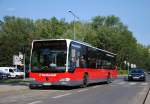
<point x="136" y="74"/>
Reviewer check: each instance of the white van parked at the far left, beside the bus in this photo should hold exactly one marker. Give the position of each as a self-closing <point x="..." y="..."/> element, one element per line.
<point x="12" y="71"/>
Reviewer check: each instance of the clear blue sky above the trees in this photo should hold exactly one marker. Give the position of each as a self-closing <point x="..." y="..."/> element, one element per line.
<point x="133" y="13"/>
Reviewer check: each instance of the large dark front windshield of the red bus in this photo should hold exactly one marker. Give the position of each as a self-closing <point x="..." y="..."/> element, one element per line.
<point x="49" y="56"/>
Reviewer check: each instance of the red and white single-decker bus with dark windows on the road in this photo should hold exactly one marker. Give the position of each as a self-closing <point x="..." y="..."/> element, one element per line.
<point x="70" y="63"/>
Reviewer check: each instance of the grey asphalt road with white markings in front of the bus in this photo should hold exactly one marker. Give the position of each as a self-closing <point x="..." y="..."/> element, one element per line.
<point x="117" y="92"/>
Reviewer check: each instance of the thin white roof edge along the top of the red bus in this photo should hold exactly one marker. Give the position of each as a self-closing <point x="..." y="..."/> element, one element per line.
<point x="83" y="43"/>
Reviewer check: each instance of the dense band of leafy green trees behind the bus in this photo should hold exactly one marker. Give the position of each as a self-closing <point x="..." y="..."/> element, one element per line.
<point x="105" y="32"/>
